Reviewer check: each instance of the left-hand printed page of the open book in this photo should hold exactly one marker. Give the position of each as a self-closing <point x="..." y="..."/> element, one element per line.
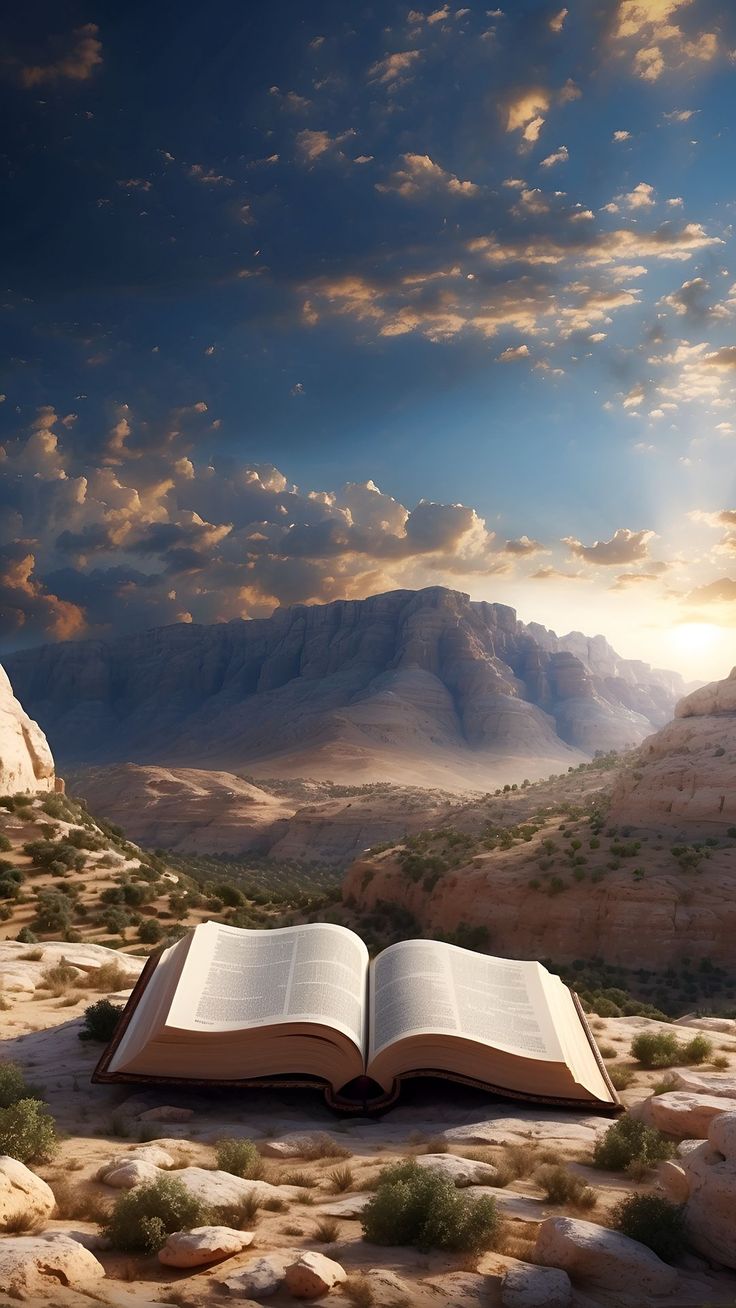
<point x="239" y="979"/>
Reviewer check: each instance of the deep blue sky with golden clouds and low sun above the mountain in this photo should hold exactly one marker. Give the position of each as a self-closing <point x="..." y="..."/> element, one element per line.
<point x="307" y="301"/>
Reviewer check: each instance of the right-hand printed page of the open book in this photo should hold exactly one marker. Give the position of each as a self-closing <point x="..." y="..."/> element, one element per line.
<point x="429" y="987"/>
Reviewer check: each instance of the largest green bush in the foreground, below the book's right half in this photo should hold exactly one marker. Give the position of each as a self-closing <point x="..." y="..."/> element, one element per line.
<point x="420" y="1208"/>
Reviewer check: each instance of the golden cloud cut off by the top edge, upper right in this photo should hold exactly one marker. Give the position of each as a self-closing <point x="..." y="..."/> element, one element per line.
<point x="650" y="35"/>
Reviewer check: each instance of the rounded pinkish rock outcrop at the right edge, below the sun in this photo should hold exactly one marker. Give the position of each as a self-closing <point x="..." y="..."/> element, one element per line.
<point x="683" y="778"/>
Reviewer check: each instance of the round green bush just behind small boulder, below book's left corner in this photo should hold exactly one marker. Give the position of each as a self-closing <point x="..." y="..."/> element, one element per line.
<point x="143" y="1218"/>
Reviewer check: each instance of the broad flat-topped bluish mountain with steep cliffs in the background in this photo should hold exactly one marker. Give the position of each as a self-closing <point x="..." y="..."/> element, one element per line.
<point x="418" y="687"/>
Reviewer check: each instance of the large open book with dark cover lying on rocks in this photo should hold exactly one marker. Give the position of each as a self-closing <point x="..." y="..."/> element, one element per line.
<point x="305" y="1005"/>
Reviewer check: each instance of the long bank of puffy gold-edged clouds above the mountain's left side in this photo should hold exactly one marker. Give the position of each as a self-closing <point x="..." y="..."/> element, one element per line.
<point x="164" y="538"/>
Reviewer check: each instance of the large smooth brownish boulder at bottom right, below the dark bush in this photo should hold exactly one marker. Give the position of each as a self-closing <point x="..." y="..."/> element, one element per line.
<point x="602" y="1259"/>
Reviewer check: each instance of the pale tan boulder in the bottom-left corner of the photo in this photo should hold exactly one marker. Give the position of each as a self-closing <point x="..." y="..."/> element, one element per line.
<point x="33" y="1268"/>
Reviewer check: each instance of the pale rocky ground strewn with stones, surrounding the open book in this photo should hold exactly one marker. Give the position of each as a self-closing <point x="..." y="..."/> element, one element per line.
<point x="293" y="1229"/>
